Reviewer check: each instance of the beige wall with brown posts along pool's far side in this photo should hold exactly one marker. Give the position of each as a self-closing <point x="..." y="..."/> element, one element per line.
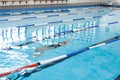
<point x="24" y="3"/>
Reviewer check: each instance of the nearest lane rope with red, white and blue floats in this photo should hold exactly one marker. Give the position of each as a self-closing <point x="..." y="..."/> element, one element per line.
<point x="62" y="57"/>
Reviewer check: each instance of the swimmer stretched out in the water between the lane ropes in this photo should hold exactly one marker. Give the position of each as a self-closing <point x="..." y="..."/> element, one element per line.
<point x="38" y="51"/>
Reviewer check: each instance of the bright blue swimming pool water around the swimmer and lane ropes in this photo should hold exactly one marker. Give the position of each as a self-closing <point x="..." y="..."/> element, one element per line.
<point x="82" y="27"/>
